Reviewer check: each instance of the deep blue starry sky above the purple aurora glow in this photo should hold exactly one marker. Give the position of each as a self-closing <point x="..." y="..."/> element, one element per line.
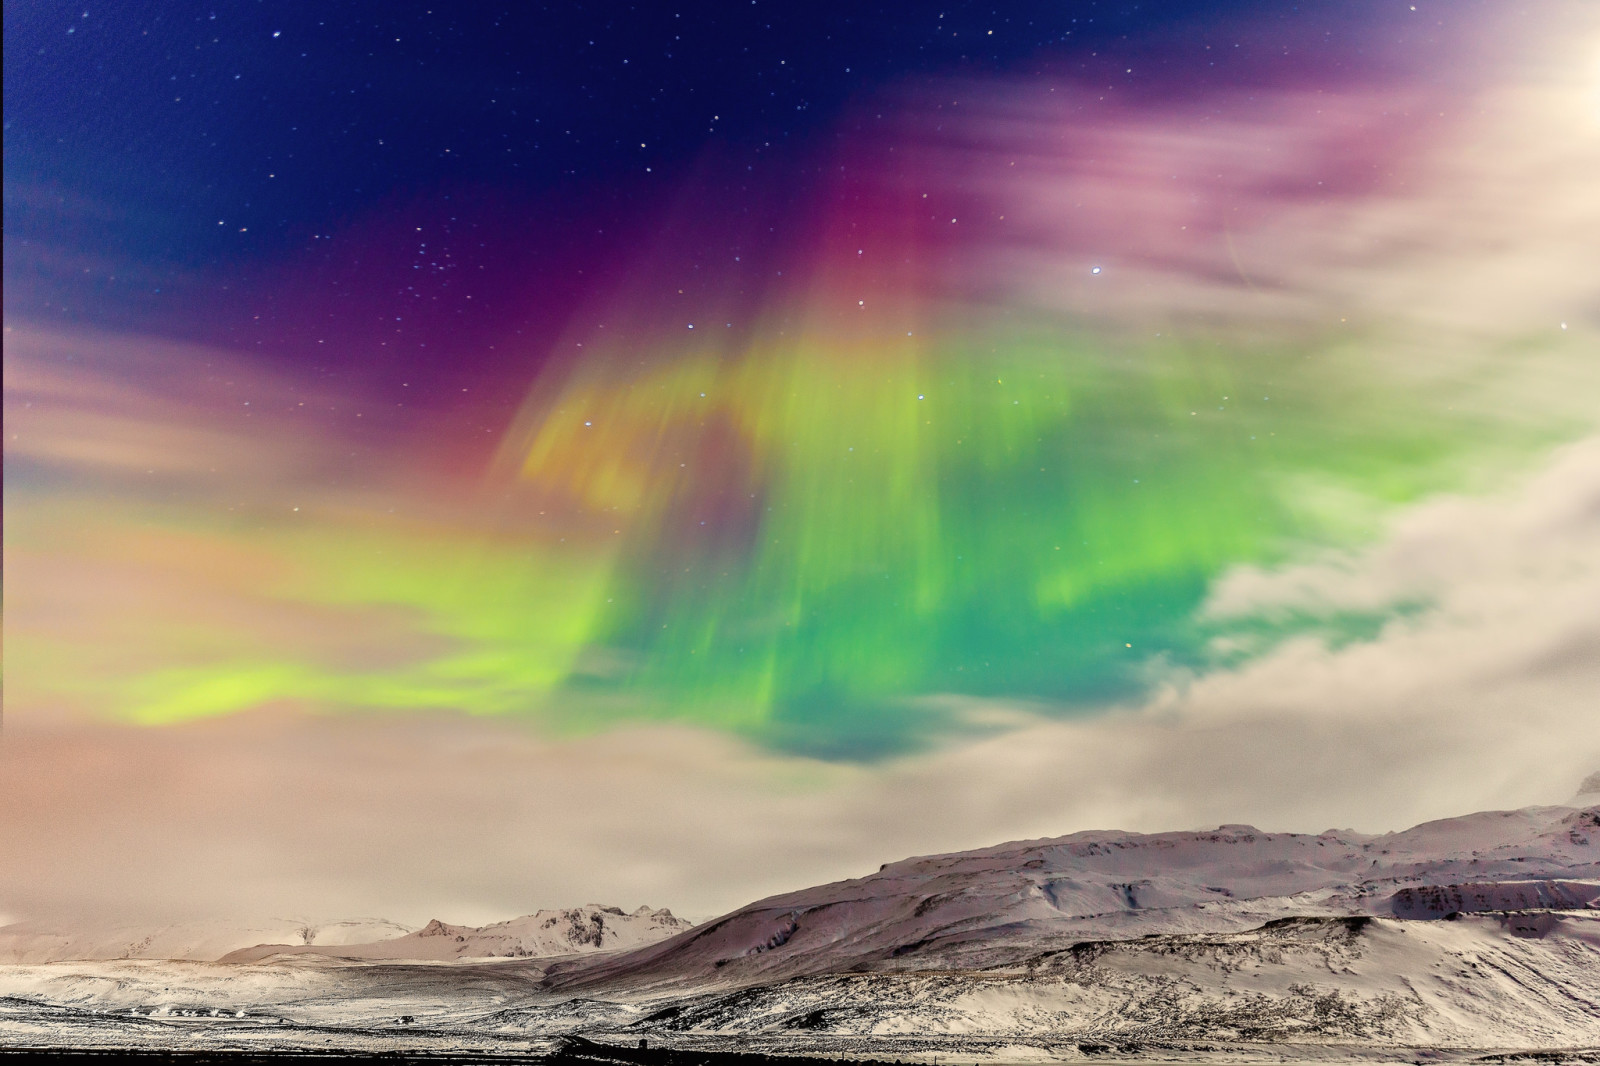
<point x="273" y="177"/>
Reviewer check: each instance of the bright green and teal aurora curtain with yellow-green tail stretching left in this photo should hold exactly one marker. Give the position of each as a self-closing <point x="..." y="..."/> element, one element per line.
<point x="818" y="543"/>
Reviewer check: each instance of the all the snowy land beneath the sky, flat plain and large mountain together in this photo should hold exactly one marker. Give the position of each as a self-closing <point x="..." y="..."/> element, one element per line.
<point x="1463" y="939"/>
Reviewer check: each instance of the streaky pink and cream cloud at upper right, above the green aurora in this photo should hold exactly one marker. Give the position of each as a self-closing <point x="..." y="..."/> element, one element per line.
<point x="1433" y="210"/>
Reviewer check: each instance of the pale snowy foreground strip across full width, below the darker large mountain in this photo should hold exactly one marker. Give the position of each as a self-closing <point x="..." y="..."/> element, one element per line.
<point x="1298" y="988"/>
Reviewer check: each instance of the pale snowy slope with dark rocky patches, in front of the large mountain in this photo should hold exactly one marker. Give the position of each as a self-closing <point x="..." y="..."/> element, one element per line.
<point x="1474" y="982"/>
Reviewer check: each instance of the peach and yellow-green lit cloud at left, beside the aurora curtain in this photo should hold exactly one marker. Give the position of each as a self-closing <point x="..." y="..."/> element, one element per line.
<point x="193" y="534"/>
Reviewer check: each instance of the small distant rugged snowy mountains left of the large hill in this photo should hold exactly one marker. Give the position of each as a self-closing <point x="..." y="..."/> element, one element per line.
<point x="575" y="931"/>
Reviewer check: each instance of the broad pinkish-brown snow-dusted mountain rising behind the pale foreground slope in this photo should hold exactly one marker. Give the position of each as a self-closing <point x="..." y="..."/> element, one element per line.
<point x="1014" y="902"/>
